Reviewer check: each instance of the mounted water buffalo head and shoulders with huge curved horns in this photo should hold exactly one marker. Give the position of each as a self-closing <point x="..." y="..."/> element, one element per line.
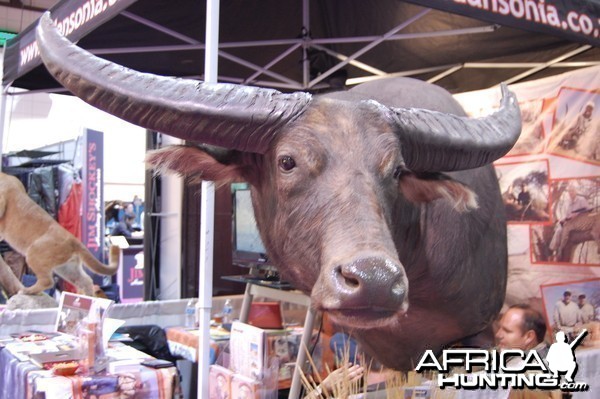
<point x="380" y="202"/>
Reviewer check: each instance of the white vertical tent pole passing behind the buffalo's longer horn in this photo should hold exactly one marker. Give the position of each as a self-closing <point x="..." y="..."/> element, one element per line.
<point x="207" y="214"/>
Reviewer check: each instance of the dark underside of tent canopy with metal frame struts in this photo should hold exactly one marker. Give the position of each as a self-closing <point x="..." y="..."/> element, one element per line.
<point x="436" y="42"/>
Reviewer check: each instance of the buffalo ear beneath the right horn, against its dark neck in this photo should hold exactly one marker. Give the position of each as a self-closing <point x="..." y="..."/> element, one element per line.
<point x="426" y="187"/>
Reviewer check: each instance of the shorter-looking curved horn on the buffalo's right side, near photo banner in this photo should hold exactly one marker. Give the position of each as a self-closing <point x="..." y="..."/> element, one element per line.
<point x="436" y="141"/>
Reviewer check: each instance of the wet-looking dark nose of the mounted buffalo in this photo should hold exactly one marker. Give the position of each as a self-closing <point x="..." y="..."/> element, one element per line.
<point x="372" y="282"/>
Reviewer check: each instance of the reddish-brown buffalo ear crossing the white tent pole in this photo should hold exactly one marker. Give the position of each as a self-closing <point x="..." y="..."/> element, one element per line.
<point x="193" y="163"/>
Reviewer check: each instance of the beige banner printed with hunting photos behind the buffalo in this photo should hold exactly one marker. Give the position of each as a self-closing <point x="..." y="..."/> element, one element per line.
<point x="550" y="184"/>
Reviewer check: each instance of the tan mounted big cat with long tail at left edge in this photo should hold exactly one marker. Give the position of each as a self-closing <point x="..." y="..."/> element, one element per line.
<point x="46" y="245"/>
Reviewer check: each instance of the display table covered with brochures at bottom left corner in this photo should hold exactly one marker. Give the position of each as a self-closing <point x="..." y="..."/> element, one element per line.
<point x="21" y="379"/>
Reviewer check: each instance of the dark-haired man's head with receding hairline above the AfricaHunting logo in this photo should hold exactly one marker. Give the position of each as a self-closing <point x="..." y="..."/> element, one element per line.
<point x="521" y="327"/>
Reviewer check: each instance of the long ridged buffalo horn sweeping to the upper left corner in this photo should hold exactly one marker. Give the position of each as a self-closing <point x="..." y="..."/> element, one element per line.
<point x="231" y="116"/>
